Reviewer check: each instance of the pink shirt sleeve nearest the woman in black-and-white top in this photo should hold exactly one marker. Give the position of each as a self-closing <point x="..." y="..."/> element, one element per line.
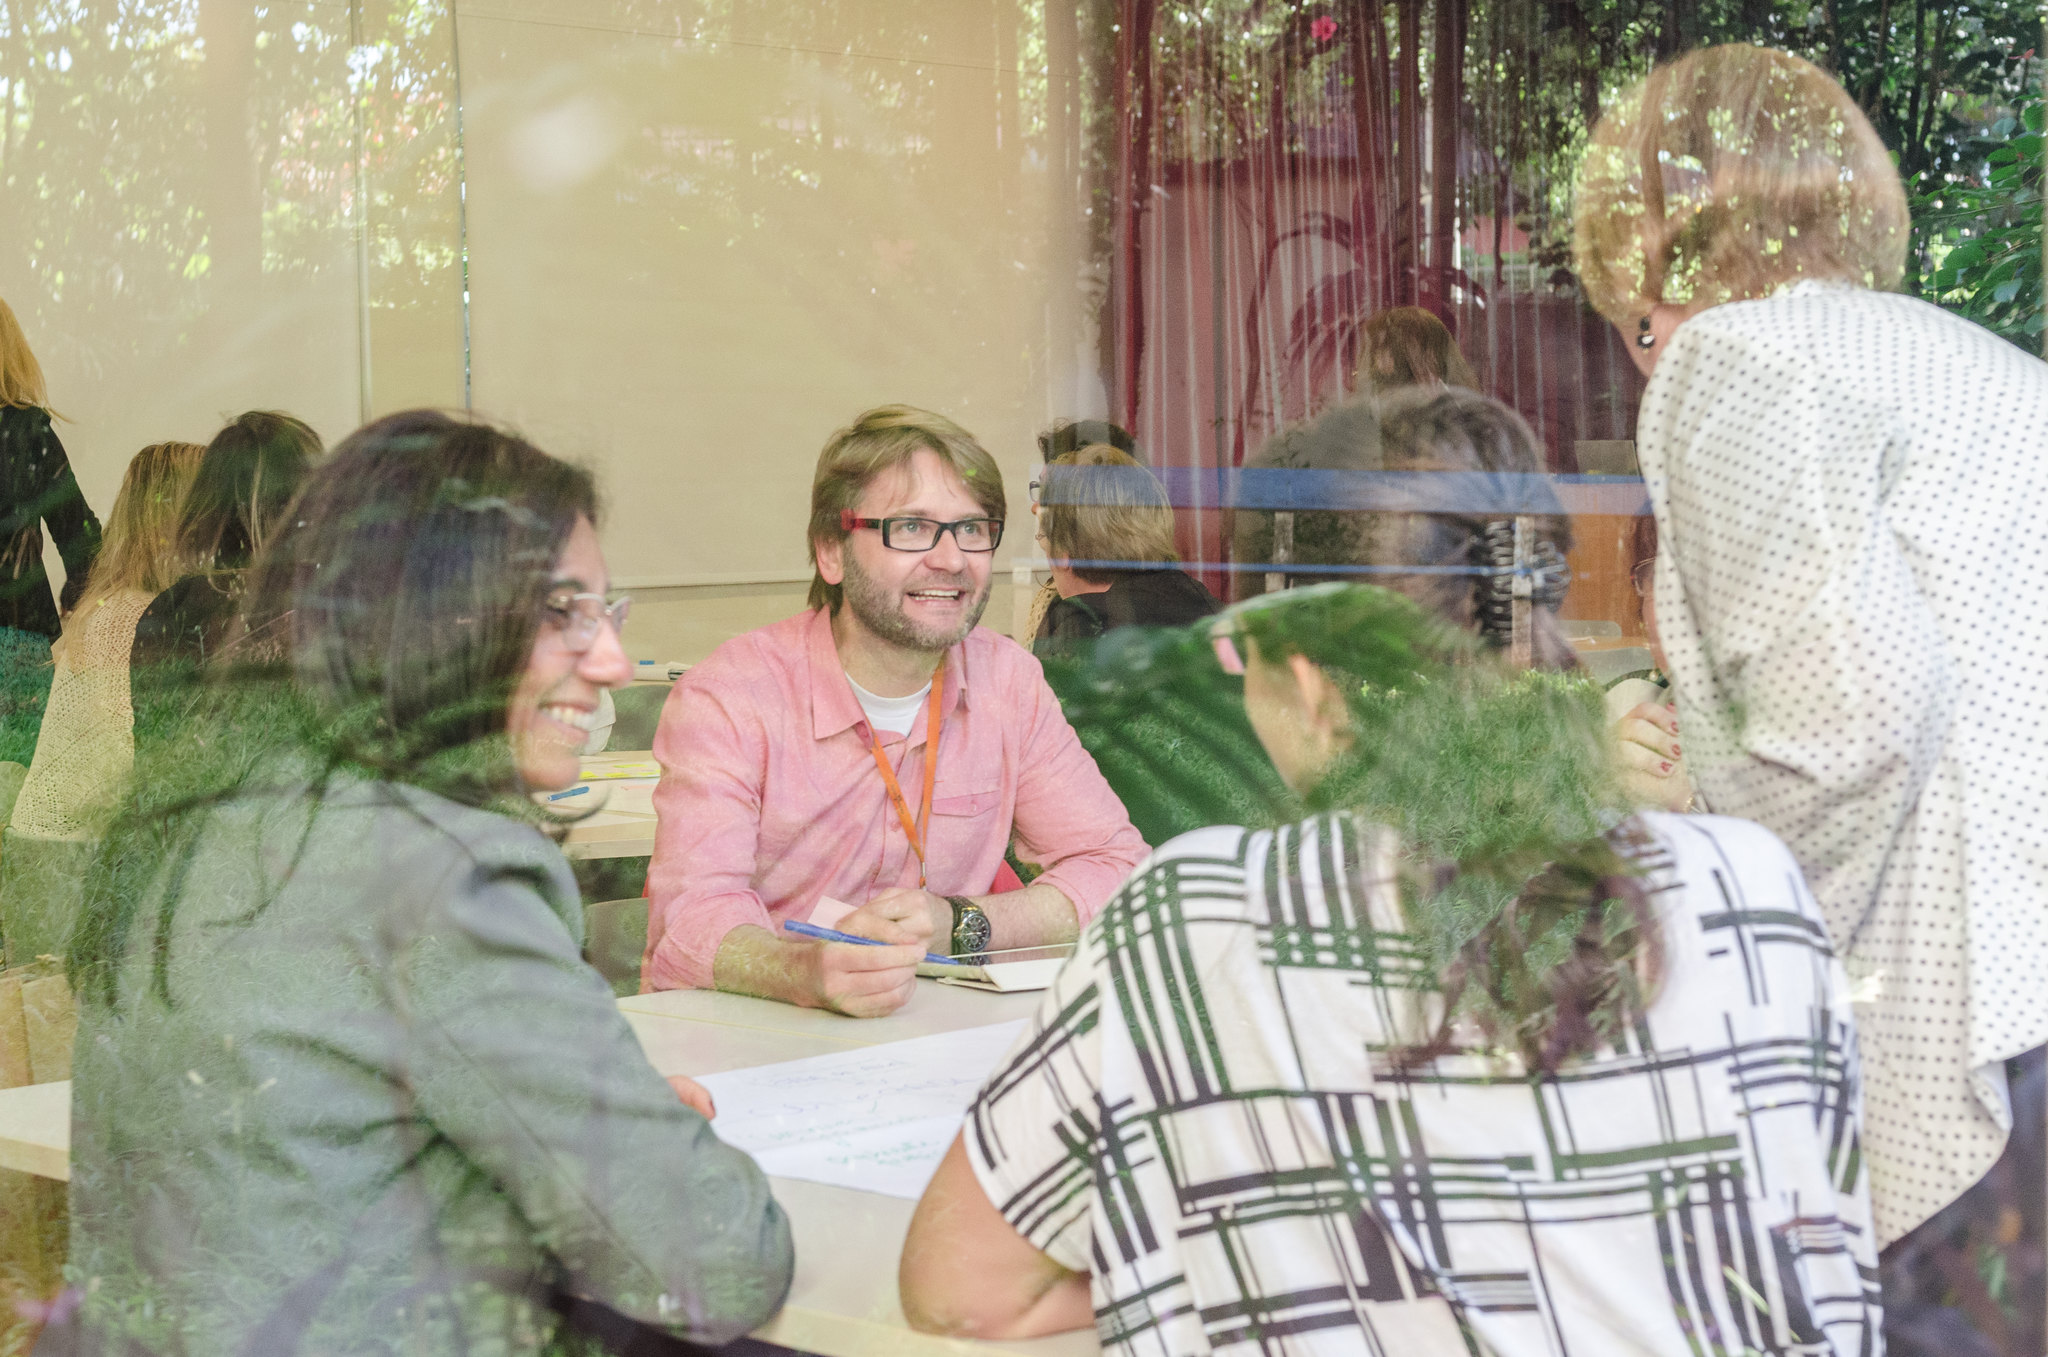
<point x="1068" y="818"/>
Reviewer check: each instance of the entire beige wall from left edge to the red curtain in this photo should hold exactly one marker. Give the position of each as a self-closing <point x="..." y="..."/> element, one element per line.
<point x="699" y="238"/>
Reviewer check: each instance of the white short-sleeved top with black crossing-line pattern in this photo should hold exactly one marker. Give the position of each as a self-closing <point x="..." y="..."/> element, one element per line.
<point x="1205" y="1119"/>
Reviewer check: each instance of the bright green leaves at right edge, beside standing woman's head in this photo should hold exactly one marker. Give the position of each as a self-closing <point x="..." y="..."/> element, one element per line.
<point x="1983" y="232"/>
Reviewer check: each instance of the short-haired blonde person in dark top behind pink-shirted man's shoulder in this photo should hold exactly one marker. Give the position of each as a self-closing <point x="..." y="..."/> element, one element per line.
<point x="1109" y="533"/>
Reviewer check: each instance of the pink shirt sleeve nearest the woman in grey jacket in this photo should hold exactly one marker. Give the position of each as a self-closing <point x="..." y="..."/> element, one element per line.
<point x="708" y="834"/>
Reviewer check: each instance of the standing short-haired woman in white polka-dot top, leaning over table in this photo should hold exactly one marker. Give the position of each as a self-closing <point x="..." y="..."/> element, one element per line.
<point x="1850" y="488"/>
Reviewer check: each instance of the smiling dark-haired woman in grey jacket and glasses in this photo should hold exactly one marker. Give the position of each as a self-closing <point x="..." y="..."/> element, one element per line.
<point x="343" y="1080"/>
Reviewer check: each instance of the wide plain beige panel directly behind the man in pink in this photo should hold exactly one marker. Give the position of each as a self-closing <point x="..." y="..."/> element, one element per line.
<point x="695" y="259"/>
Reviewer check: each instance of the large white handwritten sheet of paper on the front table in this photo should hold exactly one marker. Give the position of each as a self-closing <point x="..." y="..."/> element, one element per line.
<point x="876" y="1119"/>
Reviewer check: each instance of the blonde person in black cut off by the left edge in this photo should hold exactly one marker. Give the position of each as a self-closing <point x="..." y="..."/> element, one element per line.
<point x="36" y="488"/>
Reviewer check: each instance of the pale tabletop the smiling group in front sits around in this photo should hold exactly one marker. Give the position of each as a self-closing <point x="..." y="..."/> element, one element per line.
<point x="845" y="1299"/>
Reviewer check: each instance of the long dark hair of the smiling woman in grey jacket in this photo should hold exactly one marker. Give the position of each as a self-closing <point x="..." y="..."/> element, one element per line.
<point x="382" y="636"/>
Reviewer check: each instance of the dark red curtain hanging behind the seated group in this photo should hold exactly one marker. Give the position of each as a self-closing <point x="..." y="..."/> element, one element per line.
<point x="1285" y="173"/>
